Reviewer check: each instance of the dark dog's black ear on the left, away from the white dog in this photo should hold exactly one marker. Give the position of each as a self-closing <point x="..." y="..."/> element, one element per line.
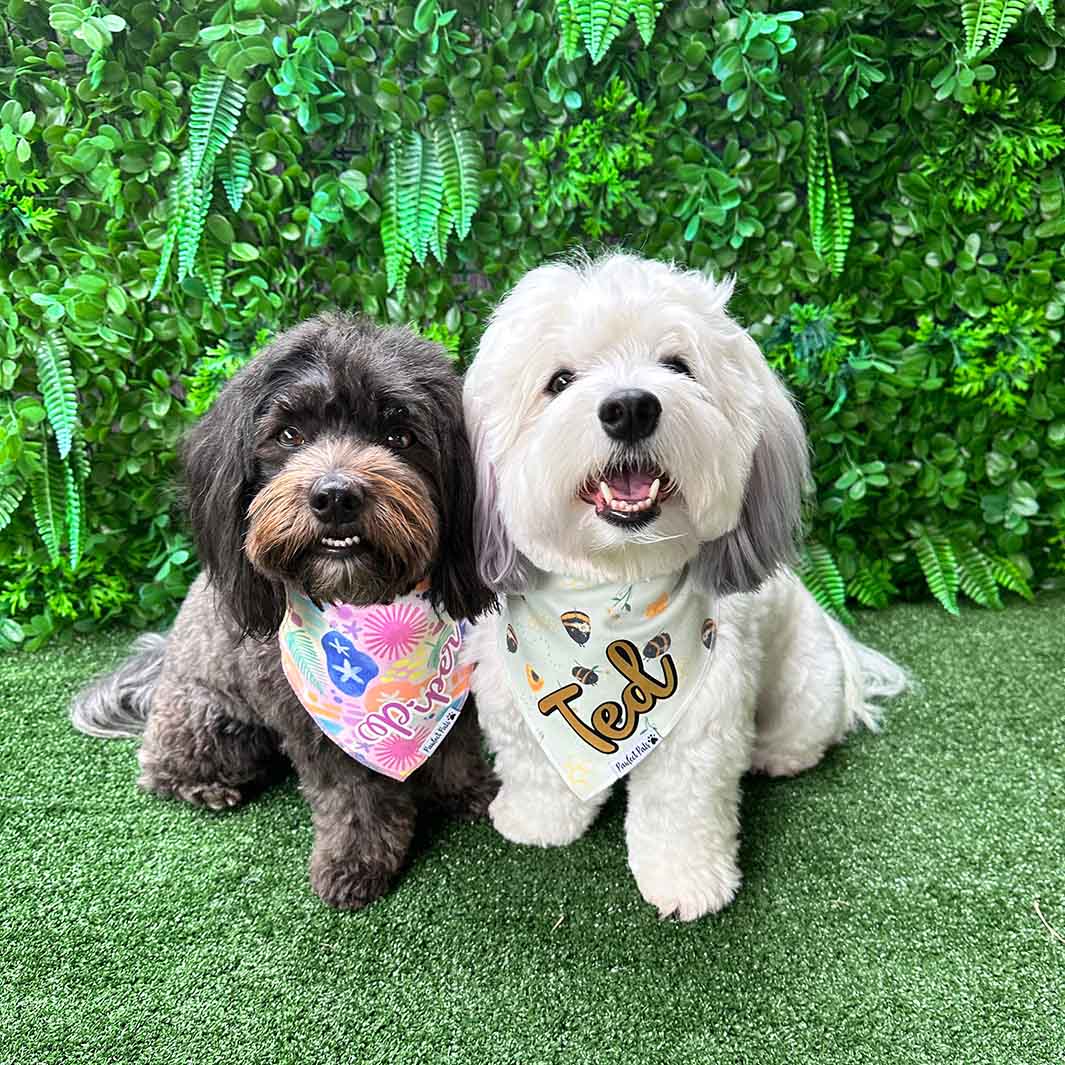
<point x="219" y="458"/>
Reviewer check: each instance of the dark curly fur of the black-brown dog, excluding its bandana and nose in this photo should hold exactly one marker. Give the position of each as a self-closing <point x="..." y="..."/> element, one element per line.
<point x="220" y="720"/>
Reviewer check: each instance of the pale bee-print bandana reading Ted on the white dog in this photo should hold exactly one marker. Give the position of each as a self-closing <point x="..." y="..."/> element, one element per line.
<point x="603" y="673"/>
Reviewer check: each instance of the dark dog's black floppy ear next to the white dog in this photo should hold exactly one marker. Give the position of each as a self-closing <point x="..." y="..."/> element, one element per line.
<point x="455" y="581"/>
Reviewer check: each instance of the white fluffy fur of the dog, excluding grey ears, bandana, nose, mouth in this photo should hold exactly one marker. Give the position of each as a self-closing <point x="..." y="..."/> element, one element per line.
<point x="787" y="682"/>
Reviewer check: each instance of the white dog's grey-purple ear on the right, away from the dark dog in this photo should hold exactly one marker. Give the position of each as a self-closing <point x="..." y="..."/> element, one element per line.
<point x="767" y="534"/>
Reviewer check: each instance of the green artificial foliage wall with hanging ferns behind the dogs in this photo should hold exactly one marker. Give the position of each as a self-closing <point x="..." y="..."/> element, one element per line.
<point x="182" y="181"/>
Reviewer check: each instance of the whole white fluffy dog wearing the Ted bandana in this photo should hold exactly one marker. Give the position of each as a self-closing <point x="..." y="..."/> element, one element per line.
<point x="632" y="441"/>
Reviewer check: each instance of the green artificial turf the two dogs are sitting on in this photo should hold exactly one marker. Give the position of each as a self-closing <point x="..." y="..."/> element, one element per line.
<point x="887" y="915"/>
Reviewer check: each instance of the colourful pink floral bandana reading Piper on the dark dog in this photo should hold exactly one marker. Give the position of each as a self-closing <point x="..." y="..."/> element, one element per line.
<point x="383" y="682"/>
